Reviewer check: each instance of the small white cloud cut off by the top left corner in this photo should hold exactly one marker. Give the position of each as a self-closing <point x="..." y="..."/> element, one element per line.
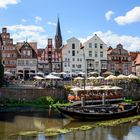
<point x="5" y="3"/>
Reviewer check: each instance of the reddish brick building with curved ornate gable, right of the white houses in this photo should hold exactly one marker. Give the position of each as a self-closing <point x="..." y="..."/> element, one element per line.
<point x="119" y="60"/>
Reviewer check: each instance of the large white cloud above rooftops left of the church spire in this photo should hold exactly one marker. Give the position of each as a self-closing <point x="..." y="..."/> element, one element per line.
<point x="34" y="33"/>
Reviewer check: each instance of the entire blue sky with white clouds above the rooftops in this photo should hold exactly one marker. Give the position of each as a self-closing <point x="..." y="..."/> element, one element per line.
<point x="114" y="21"/>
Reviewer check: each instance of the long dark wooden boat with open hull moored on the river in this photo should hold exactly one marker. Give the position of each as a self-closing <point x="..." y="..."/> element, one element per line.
<point x="99" y="112"/>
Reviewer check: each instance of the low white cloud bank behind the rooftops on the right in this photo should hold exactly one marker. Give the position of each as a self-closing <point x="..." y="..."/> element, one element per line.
<point x="111" y="39"/>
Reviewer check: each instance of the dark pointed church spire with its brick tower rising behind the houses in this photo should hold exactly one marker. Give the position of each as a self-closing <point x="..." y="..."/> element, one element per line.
<point x="58" y="37"/>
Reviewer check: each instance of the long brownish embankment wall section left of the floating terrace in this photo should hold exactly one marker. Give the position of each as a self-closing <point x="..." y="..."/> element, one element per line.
<point x="29" y="94"/>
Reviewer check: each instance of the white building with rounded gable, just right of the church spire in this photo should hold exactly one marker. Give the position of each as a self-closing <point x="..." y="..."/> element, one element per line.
<point x="73" y="60"/>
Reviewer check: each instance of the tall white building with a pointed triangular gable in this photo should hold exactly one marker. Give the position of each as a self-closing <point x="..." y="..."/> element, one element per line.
<point x="95" y="54"/>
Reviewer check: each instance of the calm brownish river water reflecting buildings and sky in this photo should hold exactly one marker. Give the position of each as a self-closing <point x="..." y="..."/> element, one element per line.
<point x="12" y="124"/>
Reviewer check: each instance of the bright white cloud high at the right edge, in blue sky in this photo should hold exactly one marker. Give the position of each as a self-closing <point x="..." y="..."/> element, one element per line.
<point x="130" y="17"/>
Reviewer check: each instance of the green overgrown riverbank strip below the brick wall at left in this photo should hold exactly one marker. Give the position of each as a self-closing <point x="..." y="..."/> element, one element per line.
<point x="39" y="104"/>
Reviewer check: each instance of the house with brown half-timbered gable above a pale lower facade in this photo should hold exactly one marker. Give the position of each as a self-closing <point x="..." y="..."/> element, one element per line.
<point x="26" y="59"/>
